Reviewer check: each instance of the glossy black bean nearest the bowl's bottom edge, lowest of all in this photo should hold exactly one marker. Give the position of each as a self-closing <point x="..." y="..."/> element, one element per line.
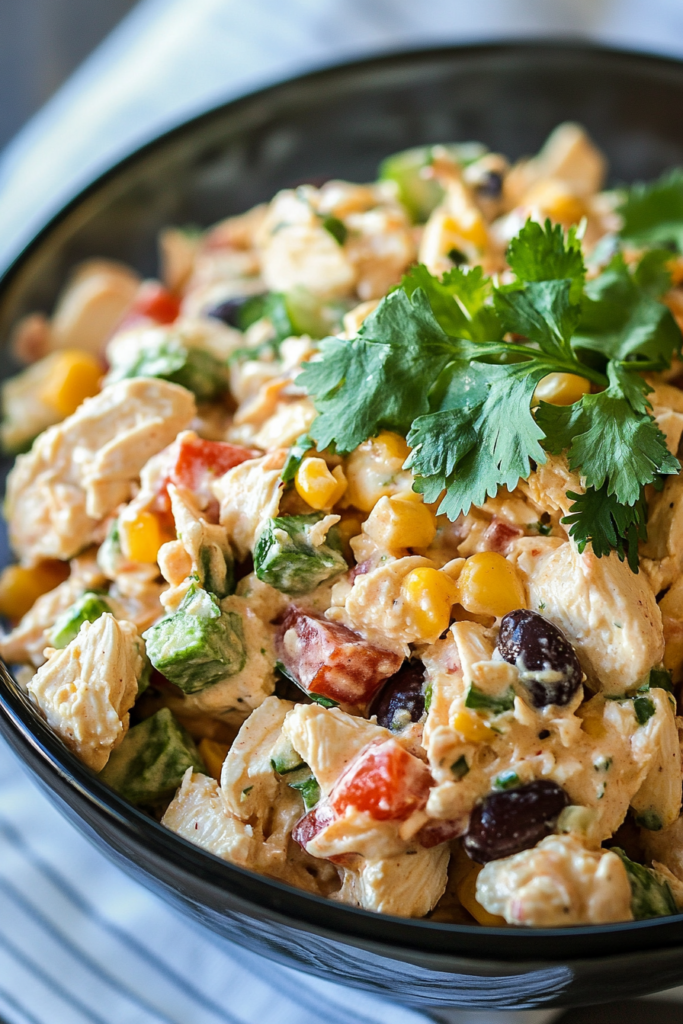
<point x="513" y="821"/>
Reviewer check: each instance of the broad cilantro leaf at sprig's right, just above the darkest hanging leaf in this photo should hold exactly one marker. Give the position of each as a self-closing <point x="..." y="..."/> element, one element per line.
<point x="612" y="439"/>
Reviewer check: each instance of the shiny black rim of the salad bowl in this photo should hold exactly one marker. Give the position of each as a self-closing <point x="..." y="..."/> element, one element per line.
<point x="33" y="741"/>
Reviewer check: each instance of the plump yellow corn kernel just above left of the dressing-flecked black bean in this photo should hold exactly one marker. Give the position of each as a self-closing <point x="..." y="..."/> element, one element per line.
<point x="490" y="585"/>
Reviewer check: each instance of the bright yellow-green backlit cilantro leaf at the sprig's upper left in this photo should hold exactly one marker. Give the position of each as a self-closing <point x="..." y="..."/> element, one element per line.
<point x="460" y="302"/>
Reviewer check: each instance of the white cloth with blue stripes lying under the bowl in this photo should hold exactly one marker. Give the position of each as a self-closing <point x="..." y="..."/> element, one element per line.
<point x="80" y="944"/>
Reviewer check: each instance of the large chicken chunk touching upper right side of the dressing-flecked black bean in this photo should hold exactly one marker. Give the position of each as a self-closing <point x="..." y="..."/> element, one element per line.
<point x="609" y="614"/>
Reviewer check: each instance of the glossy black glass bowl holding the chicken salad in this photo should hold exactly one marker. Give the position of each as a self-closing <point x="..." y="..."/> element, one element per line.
<point x="341" y="122"/>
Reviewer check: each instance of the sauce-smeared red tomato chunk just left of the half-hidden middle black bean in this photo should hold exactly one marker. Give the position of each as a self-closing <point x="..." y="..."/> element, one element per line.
<point x="330" y="660"/>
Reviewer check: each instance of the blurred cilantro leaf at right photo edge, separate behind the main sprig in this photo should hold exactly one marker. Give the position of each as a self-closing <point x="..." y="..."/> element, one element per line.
<point x="653" y="215"/>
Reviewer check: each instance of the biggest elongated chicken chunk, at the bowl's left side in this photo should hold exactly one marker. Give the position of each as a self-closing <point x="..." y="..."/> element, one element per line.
<point x="79" y="472"/>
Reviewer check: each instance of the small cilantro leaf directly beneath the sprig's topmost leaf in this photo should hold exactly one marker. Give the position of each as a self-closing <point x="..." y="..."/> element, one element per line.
<point x="541" y="312"/>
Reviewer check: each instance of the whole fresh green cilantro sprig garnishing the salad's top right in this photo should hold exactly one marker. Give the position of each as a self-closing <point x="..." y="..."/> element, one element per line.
<point x="435" y="362"/>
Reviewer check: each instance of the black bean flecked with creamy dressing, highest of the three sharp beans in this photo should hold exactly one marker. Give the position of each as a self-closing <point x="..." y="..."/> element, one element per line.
<point x="548" y="665"/>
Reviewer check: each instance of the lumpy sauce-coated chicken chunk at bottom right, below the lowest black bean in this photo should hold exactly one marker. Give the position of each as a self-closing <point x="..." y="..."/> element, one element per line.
<point x="558" y="883"/>
